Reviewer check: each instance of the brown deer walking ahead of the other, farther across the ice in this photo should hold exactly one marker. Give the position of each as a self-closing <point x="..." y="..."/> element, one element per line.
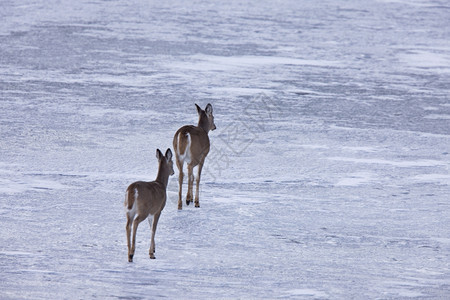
<point x="191" y="145"/>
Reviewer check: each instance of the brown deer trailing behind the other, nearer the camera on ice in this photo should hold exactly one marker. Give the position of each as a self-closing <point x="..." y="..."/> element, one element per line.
<point x="147" y="199"/>
